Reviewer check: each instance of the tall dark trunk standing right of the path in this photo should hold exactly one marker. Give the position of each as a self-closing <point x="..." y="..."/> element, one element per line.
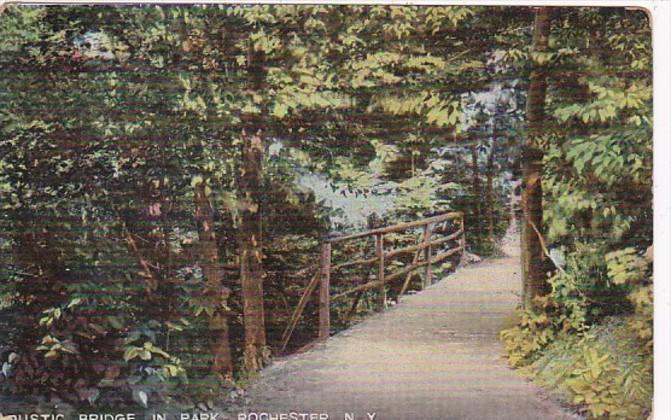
<point x="534" y="280"/>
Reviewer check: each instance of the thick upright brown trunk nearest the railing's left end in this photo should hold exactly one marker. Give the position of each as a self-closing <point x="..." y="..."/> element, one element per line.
<point x="251" y="250"/>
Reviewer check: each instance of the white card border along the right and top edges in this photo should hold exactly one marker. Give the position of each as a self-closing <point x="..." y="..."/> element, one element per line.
<point x="660" y="13"/>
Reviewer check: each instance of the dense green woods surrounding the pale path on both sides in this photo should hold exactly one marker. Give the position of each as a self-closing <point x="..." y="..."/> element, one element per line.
<point x="167" y="175"/>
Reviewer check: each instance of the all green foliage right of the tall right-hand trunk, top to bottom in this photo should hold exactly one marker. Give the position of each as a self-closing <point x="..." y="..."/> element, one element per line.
<point x="597" y="347"/>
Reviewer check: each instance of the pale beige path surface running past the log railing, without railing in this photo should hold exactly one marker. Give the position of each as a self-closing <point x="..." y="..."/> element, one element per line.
<point x="435" y="355"/>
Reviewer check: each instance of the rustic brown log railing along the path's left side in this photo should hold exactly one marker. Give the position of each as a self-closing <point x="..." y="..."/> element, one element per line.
<point x="434" y="234"/>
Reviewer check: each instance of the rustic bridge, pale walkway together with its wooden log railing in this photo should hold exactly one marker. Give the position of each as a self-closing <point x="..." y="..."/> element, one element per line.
<point x="434" y="356"/>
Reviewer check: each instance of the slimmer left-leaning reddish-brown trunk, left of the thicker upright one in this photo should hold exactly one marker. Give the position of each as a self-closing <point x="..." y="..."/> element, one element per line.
<point x="216" y="294"/>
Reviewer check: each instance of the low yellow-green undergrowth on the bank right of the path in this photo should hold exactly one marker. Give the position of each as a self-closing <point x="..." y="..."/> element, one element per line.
<point x="603" y="364"/>
